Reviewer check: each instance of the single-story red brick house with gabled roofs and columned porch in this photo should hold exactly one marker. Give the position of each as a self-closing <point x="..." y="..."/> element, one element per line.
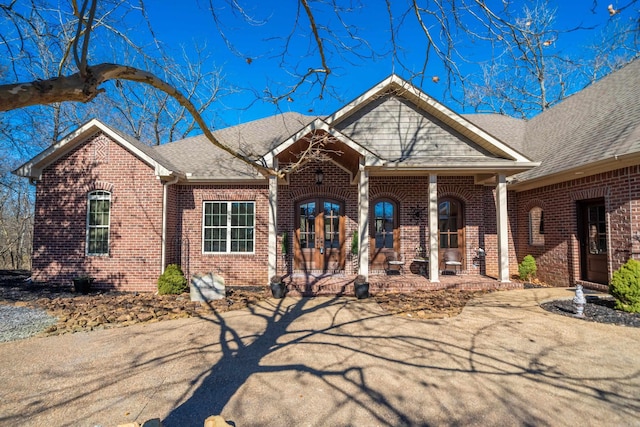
<point x="402" y="178"/>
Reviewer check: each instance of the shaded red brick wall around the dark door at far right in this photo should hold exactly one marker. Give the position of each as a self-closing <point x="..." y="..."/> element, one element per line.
<point x="559" y="259"/>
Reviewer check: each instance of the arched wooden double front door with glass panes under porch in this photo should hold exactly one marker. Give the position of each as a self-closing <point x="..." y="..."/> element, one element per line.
<point x="319" y="238"/>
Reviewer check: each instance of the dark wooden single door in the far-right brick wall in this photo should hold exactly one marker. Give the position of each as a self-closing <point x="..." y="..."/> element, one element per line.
<point x="593" y="242"/>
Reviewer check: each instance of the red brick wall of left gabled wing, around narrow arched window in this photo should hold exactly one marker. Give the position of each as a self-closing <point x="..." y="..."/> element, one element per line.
<point x="133" y="262"/>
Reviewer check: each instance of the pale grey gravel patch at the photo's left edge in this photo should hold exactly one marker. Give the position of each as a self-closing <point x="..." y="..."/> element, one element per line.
<point x="22" y="322"/>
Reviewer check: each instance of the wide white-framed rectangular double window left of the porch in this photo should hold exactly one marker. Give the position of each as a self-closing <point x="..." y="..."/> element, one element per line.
<point x="228" y="227"/>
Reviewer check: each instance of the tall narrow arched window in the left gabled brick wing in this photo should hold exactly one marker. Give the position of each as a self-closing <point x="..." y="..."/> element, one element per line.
<point x="99" y="206"/>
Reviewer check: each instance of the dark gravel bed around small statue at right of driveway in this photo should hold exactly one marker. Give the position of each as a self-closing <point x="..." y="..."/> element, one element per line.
<point x="597" y="309"/>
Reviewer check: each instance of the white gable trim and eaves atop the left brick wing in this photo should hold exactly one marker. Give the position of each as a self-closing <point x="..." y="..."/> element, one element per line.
<point x="34" y="167"/>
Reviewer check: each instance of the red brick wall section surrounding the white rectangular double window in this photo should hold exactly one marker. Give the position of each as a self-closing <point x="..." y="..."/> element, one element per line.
<point x="236" y="269"/>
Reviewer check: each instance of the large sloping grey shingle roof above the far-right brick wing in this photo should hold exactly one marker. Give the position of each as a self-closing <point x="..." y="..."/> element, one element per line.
<point x="600" y="122"/>
